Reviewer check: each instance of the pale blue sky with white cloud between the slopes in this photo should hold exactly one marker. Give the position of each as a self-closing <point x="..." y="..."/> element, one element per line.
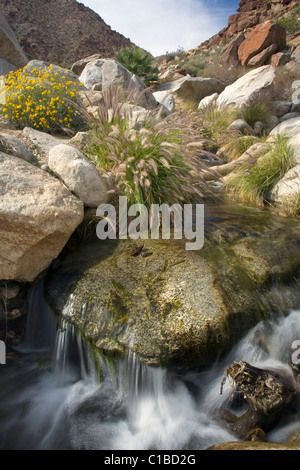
<point x="161" y="26"/>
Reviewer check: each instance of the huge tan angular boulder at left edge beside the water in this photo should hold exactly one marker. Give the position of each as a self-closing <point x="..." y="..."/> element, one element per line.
<point x="37" y="217"/>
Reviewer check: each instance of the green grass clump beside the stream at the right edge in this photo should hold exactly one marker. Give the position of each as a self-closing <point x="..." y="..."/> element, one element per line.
<point x="253" y="183"/>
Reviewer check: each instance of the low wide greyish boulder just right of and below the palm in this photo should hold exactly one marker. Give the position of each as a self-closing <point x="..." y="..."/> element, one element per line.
<point x="193" y="88"/>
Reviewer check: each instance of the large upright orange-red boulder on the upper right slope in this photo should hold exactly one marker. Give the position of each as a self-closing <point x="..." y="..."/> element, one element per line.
<point x="259" y="38"/>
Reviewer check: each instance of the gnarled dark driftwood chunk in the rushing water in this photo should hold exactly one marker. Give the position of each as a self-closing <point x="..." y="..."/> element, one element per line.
<point x="266" y="394"/>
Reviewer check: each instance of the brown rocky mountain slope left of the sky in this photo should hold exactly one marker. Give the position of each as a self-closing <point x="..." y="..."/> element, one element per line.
<point x="61" y="31"/>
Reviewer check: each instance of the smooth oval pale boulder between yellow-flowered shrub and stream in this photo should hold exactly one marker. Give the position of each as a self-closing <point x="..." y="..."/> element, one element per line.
<point x="79" y="174"/>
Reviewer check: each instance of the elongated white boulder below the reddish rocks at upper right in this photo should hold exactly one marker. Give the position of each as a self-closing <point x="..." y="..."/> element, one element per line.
<point x="255" y="85"/>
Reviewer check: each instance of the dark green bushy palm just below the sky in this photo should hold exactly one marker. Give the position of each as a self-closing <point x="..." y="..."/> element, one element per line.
<point x="139" y="62"/>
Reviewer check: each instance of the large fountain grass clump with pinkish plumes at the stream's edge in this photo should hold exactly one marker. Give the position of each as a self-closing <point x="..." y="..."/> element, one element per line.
<point x="159" y="163"/>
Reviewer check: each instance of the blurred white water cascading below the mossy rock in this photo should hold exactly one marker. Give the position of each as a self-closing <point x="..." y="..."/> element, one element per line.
<point x="67" y="396"/>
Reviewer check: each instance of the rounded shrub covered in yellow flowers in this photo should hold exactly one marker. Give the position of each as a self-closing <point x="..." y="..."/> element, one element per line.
<point x="42" y="98"/>
